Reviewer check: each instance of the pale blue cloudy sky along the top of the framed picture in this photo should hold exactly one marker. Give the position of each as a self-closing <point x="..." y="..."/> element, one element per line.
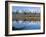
<point x="24" y="8"/>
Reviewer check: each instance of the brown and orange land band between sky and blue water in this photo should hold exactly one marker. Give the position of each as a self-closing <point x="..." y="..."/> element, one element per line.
<point x="28" y="17"/>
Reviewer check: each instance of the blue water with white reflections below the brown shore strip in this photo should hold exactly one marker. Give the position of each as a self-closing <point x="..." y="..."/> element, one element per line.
<point x="25" y="25"/>
